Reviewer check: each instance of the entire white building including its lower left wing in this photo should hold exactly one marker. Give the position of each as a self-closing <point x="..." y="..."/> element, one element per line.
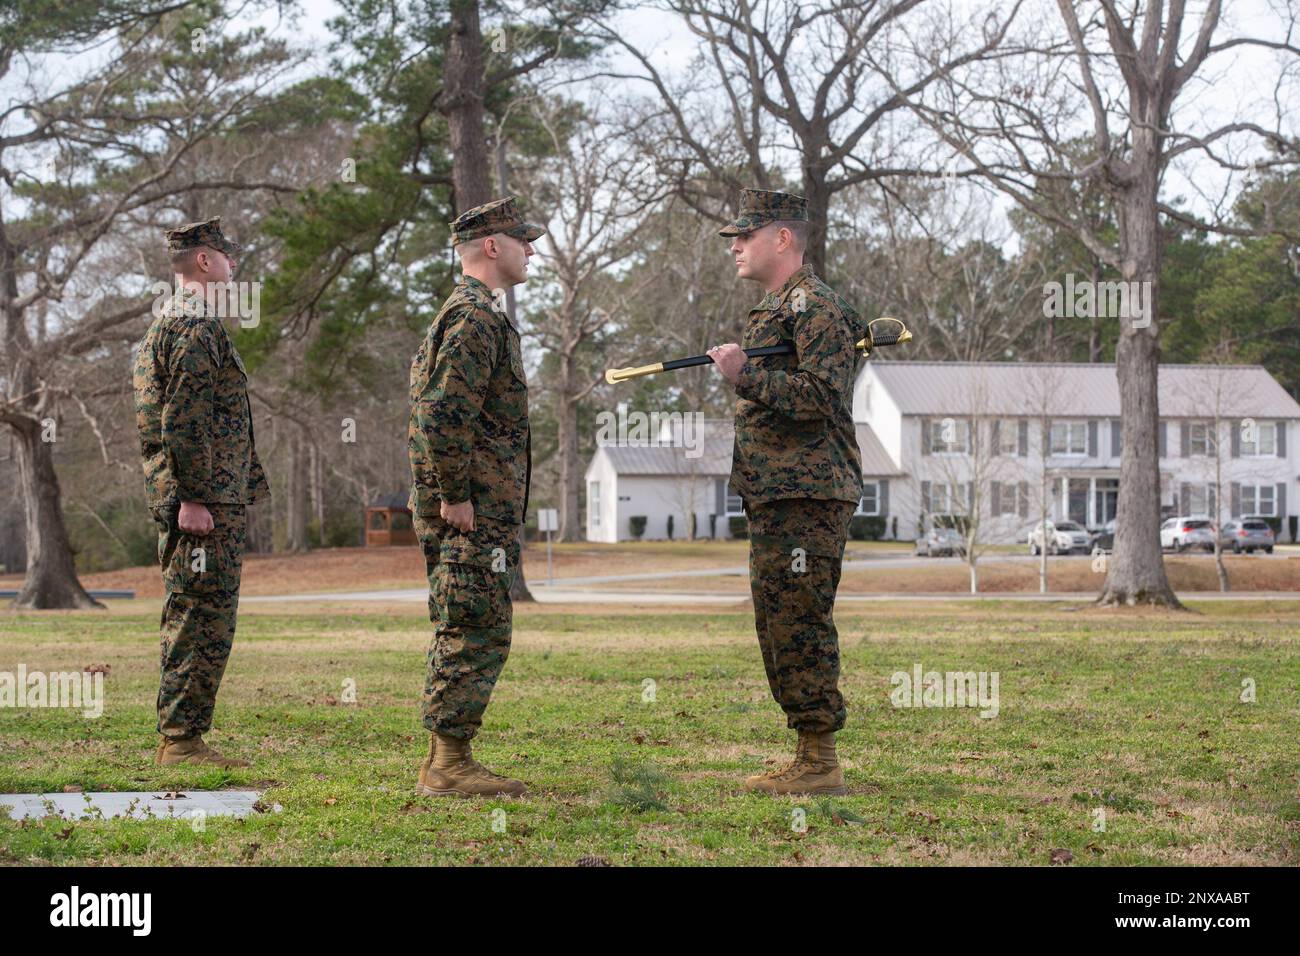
<point x="999" y="440"/>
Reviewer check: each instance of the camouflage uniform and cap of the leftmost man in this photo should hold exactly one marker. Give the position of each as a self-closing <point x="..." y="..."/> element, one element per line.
<point x="196" y="425"/>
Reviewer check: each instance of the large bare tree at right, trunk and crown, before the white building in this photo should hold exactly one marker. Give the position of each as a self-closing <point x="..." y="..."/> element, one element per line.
<point x="1013" y="123"/>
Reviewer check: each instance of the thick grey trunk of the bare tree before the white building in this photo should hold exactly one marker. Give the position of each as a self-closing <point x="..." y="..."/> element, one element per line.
<point x="1137" y="570"/>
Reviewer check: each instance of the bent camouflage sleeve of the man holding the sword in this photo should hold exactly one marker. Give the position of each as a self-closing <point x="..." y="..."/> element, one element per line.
<point x="825" y="344"/>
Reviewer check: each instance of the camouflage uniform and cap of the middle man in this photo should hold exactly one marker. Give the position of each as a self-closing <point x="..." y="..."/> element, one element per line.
<point x="470" y="442"/>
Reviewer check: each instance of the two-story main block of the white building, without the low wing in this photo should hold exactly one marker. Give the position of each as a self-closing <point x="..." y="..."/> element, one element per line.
<point x="1003" y="439"/>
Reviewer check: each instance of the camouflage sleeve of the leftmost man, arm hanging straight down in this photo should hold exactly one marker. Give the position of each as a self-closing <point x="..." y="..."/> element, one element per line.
<point x="188" y="410"/>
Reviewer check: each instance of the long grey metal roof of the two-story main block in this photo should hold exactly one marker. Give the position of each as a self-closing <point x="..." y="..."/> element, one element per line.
<point x="1077" y="390"/>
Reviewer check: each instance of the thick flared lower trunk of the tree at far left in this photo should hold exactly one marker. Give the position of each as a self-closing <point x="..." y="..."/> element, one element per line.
<point x="51" y="574"/>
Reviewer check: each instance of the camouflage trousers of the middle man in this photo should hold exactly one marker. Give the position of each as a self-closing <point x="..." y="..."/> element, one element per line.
<point x="470" y="578"/>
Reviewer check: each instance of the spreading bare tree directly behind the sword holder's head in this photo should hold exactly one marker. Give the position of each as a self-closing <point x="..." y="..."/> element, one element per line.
<point x="787" y="85"/>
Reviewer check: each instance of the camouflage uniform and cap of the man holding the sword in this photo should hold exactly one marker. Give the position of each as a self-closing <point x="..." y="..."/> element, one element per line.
<point x="798" y="469"/>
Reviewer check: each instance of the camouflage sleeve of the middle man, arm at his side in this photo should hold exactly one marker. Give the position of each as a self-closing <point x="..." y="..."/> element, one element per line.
<point x="447" y="410"/>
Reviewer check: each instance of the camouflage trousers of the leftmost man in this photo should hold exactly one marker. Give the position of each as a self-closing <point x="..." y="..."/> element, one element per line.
<point x="202" y="581"/>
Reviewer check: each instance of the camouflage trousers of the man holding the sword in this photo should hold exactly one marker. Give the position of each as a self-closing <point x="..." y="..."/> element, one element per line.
<point x="795" y="557"/>
